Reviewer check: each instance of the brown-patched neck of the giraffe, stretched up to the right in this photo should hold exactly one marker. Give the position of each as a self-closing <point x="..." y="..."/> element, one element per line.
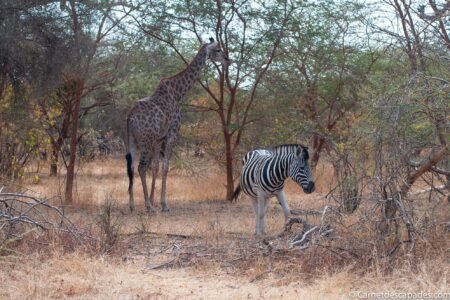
<point x="181" y="83"/>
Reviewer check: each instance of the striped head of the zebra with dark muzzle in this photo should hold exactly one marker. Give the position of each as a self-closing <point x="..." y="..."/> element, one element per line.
<point x="299" y="170"/>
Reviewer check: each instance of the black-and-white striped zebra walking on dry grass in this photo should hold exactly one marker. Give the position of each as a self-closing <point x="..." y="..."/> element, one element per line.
<point x="264" y="172"/>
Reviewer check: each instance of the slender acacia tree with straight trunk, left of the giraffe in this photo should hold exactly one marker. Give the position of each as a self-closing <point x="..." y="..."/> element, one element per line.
<point x="90" y="25"/>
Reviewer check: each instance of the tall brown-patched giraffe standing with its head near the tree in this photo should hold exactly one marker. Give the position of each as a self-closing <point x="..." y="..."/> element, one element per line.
<point x="153" y="124"/>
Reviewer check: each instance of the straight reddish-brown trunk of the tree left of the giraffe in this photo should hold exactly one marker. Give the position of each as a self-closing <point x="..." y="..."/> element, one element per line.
<point x="73" y="142"/>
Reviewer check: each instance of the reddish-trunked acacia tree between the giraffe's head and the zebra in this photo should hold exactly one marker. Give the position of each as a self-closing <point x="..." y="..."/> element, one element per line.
<point x="250" y="34"/>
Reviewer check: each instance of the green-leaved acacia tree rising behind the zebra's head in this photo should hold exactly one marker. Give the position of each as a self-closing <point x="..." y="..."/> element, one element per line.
<point x="324" y="63"/>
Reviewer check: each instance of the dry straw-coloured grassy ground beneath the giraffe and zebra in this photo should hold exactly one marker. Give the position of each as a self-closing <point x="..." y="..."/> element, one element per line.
<point x="203" y="248"/>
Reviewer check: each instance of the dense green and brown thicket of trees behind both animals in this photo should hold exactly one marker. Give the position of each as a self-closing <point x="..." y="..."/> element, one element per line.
<point x="365" y="85"/>
